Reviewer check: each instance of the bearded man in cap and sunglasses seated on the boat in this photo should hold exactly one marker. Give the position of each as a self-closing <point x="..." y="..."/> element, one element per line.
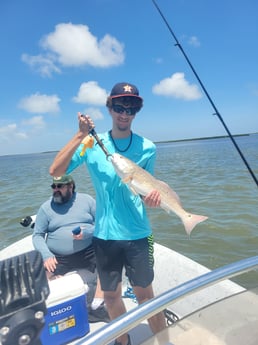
<point x="61" y="250"/>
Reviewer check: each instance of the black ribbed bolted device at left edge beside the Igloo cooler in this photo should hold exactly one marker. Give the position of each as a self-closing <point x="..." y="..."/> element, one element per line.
<point x="23" y="291"/>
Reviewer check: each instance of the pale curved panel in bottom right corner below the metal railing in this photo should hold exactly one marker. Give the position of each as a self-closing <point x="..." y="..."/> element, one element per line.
<point x="233" y="321"/>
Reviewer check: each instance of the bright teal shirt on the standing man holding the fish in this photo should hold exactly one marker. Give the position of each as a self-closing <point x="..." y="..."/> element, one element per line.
<point x="120" y="215"/>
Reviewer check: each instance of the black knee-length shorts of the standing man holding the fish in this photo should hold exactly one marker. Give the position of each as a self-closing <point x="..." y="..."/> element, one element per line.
<point x="136" y="256"/>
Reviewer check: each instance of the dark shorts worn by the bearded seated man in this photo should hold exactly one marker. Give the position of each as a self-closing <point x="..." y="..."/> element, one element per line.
<point x="85" y="258"/>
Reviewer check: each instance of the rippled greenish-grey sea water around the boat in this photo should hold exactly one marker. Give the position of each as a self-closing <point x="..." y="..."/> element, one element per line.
<point x="208" y="175"/>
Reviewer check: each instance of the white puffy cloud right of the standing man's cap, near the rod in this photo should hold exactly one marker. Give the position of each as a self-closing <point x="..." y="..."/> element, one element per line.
<point x="177" y="87"/>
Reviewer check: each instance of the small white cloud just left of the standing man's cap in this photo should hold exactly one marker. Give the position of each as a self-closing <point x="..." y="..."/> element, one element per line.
<point x="91" y="93"/>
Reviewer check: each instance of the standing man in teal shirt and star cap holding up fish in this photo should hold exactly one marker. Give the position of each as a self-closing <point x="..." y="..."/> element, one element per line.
<point x="122" y="235"/>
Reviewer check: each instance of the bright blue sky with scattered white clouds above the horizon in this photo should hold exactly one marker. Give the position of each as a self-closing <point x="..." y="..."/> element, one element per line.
<point x="60" y="57"/>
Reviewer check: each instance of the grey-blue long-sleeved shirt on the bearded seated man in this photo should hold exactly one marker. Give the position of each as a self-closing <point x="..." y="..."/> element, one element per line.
<point x="54" y="224"/>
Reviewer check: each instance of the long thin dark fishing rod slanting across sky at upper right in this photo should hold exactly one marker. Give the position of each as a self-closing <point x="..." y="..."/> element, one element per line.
<point x="207" y="94"/>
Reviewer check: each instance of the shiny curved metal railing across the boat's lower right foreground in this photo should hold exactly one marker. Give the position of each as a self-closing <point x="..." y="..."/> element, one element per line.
<point x="144" y="311"/>
